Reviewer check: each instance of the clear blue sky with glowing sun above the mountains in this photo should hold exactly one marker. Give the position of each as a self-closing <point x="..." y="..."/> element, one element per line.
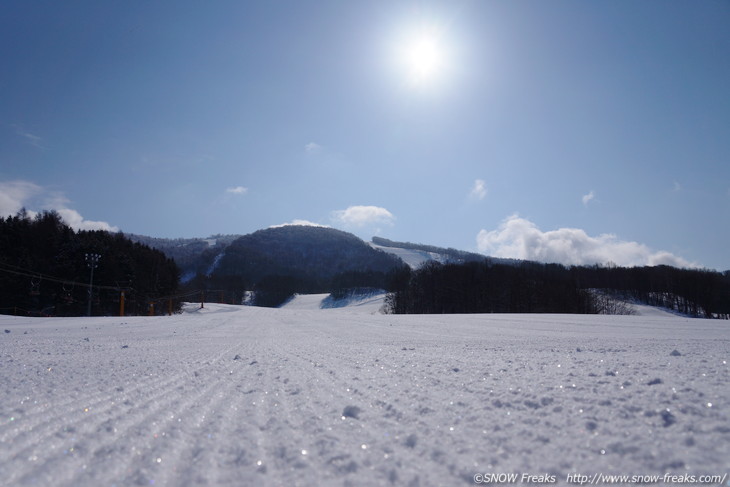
<point x="563" y="131"/>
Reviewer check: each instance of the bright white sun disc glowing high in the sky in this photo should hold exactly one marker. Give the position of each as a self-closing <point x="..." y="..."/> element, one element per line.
<point x="423" y="57"/>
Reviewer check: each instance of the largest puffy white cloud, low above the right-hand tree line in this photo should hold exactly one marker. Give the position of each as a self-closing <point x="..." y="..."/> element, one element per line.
<point x="519" y="238"/>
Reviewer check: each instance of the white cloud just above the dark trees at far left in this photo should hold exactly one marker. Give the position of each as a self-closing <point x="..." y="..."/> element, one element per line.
<point x="15" y="195"/>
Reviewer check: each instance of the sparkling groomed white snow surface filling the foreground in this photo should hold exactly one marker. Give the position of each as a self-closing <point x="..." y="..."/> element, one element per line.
<point x="239" y="396"/>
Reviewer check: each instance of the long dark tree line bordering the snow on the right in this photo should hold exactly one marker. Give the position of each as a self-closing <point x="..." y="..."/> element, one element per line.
<point x="530" y="287"/>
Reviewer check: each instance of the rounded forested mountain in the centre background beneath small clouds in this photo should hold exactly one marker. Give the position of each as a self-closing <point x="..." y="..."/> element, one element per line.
<point x="277" y="262"/>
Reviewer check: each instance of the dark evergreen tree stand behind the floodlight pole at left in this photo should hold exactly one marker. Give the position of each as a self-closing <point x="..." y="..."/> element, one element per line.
<point x="43" y="270"/>
